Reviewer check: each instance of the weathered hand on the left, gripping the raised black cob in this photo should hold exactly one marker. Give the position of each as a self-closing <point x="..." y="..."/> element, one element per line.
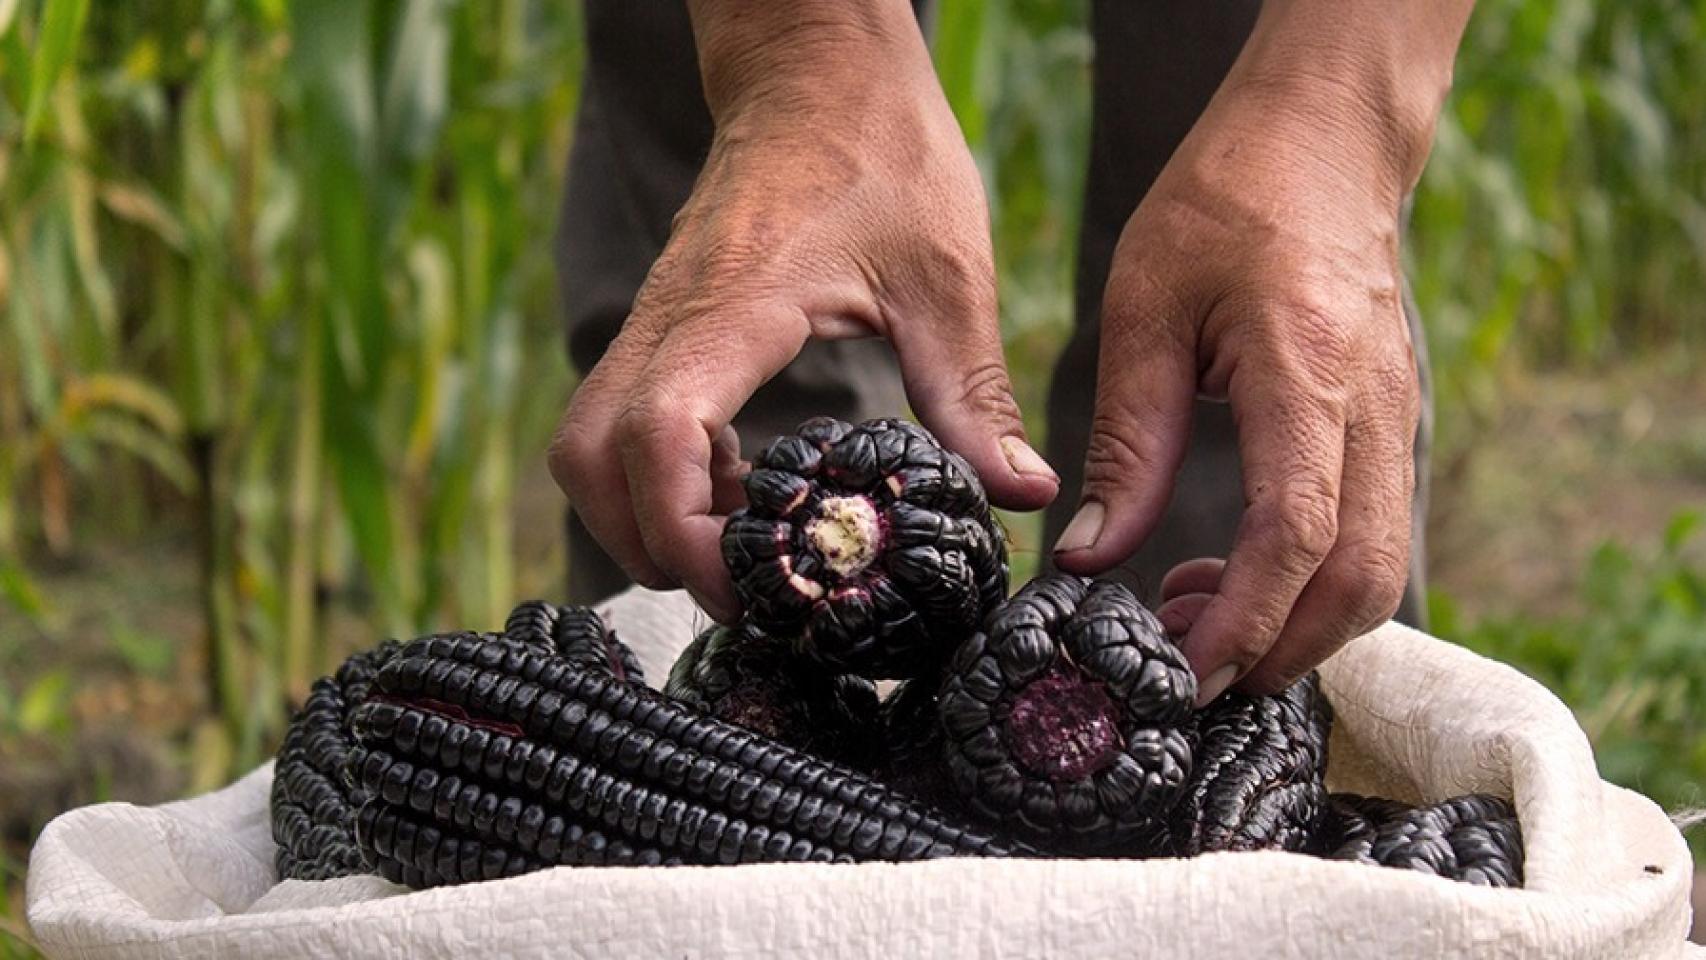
<point x="838" y="200"/>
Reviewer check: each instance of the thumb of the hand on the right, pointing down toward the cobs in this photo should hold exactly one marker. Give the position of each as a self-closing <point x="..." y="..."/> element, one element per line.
<point x="1146" y="388"/>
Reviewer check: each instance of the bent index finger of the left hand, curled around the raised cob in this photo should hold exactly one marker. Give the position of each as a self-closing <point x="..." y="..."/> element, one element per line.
<point x="688" y="395"/>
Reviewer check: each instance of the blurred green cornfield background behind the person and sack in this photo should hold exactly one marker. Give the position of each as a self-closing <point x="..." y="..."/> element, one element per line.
<point x="279" y="354"/>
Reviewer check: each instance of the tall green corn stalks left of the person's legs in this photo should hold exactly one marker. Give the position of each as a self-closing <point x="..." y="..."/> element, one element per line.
<point x="274" y="274"/>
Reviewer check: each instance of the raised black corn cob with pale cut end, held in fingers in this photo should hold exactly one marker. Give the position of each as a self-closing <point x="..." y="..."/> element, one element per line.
<point x="871" y="545"/>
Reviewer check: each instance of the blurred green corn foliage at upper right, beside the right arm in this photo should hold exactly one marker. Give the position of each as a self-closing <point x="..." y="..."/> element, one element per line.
<point x="1564" y="212"/>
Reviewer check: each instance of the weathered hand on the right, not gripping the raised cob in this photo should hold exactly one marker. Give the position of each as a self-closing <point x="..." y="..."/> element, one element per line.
<point x="1263" y="270"/>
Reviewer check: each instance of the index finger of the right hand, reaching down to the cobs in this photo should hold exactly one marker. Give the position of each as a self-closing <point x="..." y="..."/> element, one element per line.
<point x="1292" y="451"/>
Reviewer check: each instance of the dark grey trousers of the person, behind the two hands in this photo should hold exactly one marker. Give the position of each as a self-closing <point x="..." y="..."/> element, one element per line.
<point x="644" y="130"/>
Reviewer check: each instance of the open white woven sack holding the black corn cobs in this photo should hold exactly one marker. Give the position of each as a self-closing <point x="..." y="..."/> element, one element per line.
<point x="1608" y="876"/>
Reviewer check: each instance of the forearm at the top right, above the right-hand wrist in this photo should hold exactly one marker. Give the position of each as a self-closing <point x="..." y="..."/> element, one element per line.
<point x="1374" y="74"/>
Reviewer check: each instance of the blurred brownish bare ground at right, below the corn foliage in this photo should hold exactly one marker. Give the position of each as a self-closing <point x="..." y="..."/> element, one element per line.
<point x="1569" y="463"/>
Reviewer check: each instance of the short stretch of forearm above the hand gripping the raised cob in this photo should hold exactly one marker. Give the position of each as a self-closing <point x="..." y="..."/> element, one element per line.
<point x="801" y="49"/>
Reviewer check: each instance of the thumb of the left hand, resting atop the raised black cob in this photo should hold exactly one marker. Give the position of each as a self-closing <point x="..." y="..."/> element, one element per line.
<point x="958" y="385"/>
